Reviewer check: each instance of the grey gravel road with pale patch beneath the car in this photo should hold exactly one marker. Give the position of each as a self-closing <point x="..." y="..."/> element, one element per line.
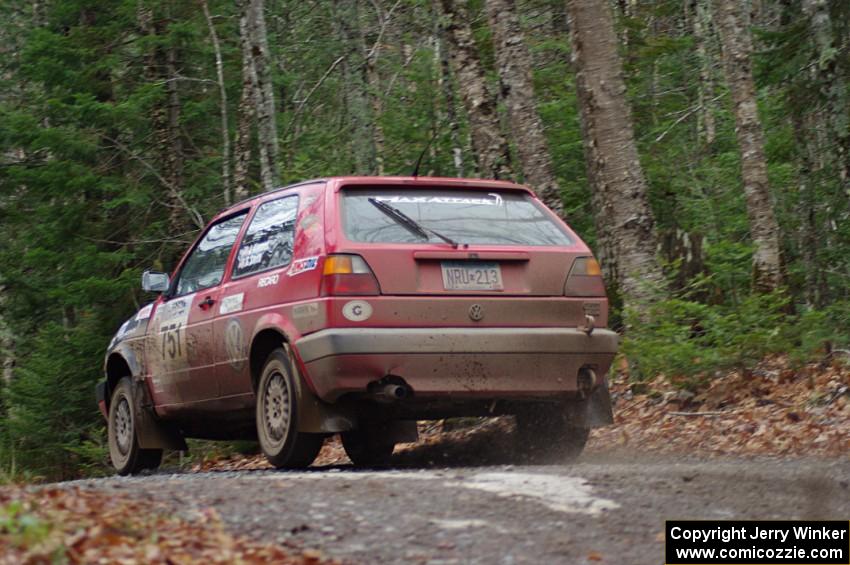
<point x="606" y="508"/>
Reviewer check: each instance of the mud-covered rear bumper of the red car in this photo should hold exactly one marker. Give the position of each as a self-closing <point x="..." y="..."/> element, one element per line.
<point x="469" y="362"/>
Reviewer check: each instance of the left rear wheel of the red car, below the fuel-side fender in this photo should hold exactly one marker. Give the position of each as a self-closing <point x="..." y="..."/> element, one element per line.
<point x="277" y="416"/>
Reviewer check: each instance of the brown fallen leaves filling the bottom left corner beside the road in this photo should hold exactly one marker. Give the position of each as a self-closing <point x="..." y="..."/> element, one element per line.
<point x="74" y="525"/>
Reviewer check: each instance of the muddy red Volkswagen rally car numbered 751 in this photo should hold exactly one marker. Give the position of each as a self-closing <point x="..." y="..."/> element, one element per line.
<point x="358" y="305"/>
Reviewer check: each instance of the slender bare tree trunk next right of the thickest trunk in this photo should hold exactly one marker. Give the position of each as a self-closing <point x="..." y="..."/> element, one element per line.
<point x="733" y="26"/>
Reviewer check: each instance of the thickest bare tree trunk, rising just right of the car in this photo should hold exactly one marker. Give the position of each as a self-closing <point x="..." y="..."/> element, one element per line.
<point x="624" y="221"/>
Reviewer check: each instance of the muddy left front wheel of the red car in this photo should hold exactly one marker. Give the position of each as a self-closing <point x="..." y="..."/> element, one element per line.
<point x="124" y="451"/>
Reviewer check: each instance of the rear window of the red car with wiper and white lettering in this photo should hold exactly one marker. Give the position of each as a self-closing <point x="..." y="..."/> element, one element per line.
<point x="465" y="216"/>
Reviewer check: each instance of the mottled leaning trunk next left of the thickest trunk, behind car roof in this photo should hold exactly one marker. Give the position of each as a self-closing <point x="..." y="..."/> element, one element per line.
<point x="488" y="141"/>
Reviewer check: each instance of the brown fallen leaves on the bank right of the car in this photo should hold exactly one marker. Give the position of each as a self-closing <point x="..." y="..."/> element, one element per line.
<point x="772" y="410"/>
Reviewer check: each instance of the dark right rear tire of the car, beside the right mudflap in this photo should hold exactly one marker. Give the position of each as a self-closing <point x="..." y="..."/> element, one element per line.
<point x="544" y="435"/>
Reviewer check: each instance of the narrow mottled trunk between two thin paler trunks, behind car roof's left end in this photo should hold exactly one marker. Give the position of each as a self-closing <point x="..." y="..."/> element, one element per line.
<point x="242" y="149"/>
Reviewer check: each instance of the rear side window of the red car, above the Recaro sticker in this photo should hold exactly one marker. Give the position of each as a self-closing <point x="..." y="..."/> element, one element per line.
<point x="268" y="241"/>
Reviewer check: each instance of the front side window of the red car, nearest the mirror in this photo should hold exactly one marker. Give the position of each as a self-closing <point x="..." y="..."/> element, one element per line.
<point x="205" y="266"/>
